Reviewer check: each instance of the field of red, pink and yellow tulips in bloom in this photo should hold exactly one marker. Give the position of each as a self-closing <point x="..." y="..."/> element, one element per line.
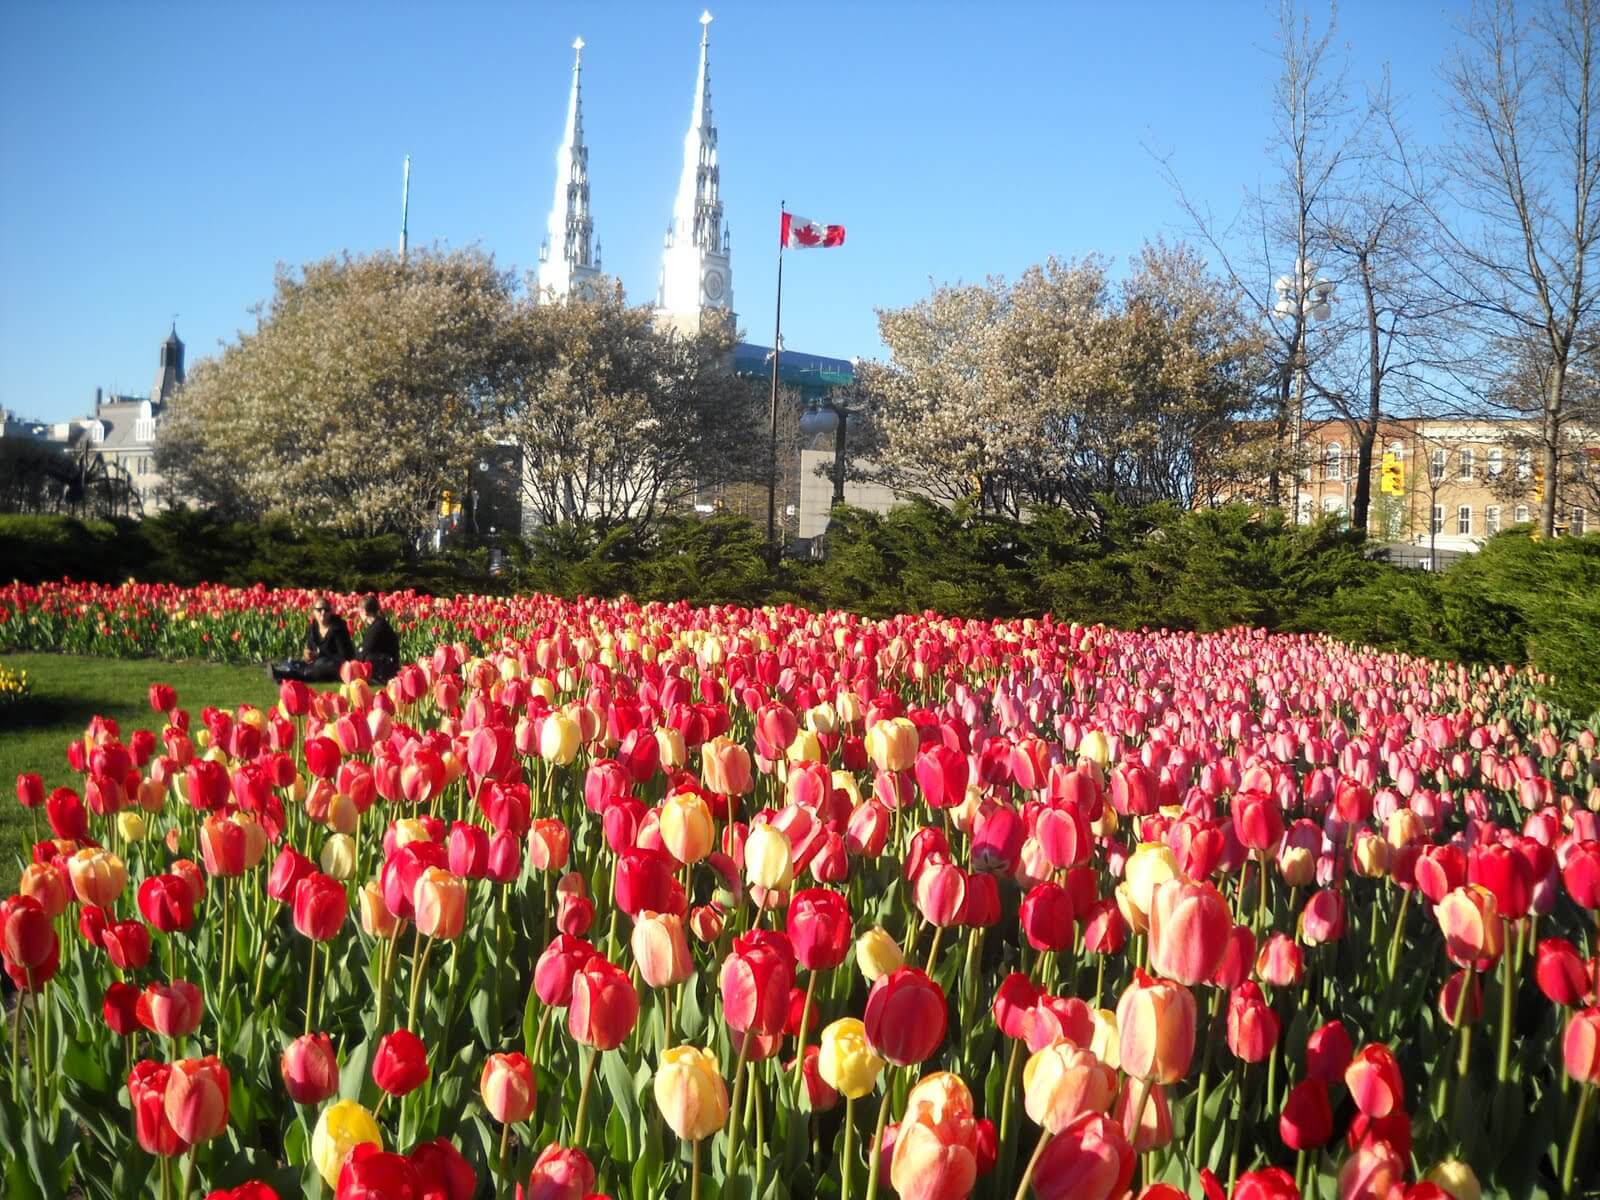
<point x="599" y="898"/>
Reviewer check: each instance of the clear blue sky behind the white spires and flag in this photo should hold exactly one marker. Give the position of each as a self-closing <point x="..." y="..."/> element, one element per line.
<point x="162" y="158"/>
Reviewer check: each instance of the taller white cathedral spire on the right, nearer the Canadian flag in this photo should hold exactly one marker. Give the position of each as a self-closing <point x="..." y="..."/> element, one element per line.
<point x="695" y="271"/>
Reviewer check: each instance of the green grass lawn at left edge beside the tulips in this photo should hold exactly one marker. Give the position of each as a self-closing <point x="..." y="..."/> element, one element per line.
<point x="68" y="690"/>
